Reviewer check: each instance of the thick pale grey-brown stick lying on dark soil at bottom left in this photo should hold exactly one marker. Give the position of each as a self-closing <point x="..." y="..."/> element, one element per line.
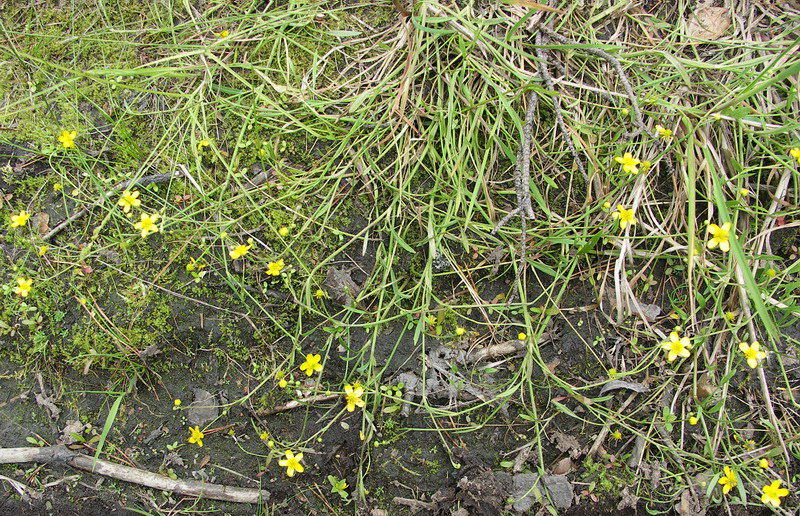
<point x="62" y="455"/>
